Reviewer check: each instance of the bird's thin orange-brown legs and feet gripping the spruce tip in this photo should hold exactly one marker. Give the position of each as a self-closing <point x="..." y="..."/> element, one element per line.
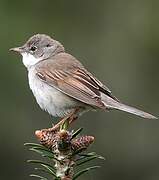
<point x="71" y="117"/>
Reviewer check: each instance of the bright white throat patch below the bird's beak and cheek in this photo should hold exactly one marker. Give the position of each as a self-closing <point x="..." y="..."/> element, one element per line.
<point x="29" y="60"/>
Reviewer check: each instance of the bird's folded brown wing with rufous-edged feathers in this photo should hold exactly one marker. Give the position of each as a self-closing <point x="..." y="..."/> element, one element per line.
<point x="76" y="83"/>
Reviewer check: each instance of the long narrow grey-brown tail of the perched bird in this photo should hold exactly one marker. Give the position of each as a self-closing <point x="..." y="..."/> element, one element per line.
<point x="113" y="104"/>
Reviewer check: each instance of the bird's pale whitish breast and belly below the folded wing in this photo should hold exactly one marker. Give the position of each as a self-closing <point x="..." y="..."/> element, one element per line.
<point x="50" y="99"/>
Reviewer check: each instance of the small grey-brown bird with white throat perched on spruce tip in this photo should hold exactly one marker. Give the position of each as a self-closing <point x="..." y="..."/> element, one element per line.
<point x="62" y="85"/>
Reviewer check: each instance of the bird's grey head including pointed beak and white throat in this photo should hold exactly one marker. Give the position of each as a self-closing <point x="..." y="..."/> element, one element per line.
<point x="38" y="47"/>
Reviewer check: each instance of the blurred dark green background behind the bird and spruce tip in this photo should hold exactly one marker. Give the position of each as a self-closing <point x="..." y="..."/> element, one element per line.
<point x="116" y="40"/>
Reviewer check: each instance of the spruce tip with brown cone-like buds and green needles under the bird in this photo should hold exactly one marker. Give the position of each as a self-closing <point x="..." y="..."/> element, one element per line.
<point x="64" y="150"/>
